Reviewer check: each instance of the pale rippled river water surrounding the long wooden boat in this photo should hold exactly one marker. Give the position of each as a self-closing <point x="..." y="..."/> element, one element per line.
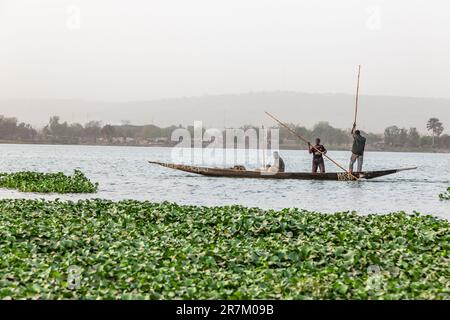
<point x="124" y="173"/>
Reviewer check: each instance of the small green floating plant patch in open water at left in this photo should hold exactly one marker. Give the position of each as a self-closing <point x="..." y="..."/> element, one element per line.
<point x="48" y="182"/>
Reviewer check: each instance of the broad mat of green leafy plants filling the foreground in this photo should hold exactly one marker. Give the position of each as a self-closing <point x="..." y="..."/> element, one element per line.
<point x="99" y="249"/>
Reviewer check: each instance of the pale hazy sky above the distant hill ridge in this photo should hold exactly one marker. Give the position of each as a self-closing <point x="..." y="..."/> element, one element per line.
<point x="150" y="49"/>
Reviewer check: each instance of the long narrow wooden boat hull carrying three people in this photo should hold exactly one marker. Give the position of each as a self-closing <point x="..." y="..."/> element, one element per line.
<point x="234" y="173"/>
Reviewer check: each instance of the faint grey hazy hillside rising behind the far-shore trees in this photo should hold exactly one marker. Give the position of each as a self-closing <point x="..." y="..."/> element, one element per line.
<point x="376" y="112"/>
